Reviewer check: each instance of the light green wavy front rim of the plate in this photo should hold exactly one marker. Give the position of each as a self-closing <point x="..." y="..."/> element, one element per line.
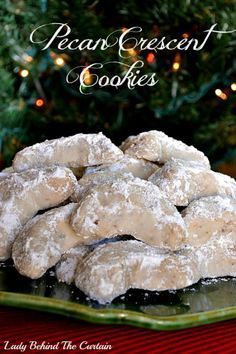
<point x="114" y="316"/>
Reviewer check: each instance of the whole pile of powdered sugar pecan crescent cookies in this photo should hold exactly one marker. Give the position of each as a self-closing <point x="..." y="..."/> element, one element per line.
<point x="93" y="193"/>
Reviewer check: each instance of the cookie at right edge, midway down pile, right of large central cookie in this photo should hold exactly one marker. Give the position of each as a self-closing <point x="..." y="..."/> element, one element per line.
<point x="209" y="217"/>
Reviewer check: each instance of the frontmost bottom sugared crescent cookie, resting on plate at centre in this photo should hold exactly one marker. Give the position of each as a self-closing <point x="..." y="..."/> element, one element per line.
<point x="113" y="268"/>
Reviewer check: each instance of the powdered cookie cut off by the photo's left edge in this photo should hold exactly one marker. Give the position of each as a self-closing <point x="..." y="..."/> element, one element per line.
<point x="23" y="194"/>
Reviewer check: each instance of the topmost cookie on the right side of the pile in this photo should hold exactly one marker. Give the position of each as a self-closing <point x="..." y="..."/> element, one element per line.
<point x="157" y="146"/>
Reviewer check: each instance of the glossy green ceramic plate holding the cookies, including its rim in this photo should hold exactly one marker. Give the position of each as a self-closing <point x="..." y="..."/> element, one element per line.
<point x="206" y="302"/>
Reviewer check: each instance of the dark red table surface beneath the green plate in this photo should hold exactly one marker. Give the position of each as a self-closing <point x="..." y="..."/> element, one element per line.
<point x="18" y="326"/>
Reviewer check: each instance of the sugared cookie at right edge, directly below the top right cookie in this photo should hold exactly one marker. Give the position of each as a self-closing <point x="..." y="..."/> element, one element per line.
<point x="183" y="182"/>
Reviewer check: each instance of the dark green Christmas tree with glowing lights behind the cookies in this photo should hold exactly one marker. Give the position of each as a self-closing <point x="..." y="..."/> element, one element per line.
<point x="194" y="99"/>
